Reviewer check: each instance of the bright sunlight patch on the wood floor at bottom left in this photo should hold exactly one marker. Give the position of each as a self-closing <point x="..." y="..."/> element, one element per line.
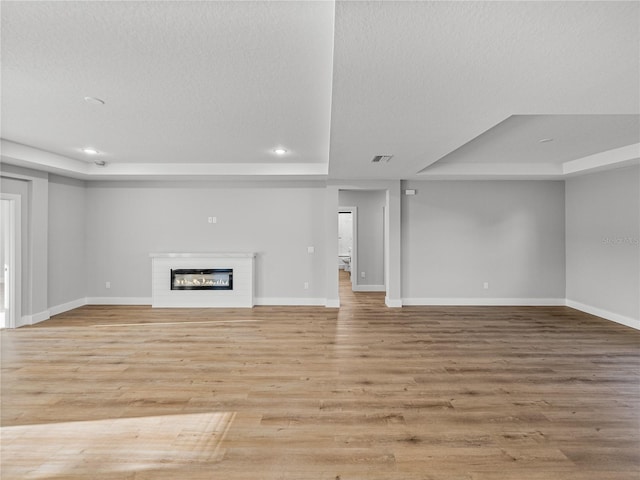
<point x="113" y="445"/>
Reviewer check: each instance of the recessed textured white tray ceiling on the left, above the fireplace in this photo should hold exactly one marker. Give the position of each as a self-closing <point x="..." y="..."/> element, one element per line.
<point x="183" y="82"/>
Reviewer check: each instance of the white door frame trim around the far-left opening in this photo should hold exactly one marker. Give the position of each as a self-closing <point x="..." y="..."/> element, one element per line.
<point x="14" y="260"/>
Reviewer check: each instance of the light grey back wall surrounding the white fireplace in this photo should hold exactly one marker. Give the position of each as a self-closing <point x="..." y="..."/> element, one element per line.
<point x="125" y="222"/>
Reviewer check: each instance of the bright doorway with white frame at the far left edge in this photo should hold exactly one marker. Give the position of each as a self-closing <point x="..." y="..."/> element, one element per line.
<point x="10" y="253"/>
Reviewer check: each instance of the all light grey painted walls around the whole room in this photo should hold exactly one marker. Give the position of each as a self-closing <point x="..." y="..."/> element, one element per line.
<point x="455" y="236"/>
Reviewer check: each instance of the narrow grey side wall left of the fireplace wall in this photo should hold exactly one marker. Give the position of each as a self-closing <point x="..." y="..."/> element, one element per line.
<point x="67" y="273"/>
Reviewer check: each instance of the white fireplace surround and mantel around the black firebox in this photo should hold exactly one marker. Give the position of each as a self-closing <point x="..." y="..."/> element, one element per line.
<point x="242" y="295"/>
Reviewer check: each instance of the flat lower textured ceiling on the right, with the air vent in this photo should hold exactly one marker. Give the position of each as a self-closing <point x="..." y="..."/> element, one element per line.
<point x="420" y="79"/>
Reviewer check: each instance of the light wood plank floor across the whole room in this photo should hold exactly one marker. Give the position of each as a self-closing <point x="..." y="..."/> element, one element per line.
<point x="366" y="392"/>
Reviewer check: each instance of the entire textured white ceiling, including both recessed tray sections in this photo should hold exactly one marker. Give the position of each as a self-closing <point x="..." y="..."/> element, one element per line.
<point x="211" y="88"/>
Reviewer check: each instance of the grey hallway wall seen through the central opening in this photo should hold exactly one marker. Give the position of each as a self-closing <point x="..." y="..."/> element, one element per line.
<point x="370" y="247"/>
